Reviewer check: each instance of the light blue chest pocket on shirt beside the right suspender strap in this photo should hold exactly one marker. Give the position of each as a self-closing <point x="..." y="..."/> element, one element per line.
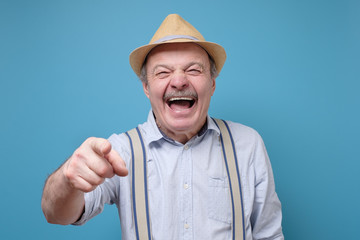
<point x="219" y="204"/>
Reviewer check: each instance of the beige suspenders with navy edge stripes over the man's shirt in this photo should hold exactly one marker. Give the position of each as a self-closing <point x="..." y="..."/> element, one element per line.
<point x="140" y="203"/>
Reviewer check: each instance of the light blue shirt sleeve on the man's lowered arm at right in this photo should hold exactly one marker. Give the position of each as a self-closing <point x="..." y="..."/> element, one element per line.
<point x="266" y="216"/>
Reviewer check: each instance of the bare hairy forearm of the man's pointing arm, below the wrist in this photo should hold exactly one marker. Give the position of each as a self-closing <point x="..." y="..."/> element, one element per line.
<point x="61" y="203"/>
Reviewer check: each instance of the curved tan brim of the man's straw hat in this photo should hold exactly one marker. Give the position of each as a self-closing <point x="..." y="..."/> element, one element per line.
<point x="217" y="52"/>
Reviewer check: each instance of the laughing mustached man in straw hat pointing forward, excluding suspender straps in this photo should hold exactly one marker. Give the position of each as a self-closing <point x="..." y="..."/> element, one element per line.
<point x="187" y="180"/>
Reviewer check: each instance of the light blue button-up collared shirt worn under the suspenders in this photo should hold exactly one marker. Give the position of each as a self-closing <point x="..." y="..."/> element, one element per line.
<point x="188" y="186"/>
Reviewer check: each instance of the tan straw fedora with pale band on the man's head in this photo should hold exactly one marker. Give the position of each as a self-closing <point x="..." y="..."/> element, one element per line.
<point x="175" y="29"/>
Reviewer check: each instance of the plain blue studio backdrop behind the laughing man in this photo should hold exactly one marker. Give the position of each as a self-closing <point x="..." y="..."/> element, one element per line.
<point x="292" y="73"/>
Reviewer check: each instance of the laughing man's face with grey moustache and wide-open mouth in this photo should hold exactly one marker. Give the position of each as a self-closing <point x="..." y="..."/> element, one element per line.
<point x="179" y="88"/>
